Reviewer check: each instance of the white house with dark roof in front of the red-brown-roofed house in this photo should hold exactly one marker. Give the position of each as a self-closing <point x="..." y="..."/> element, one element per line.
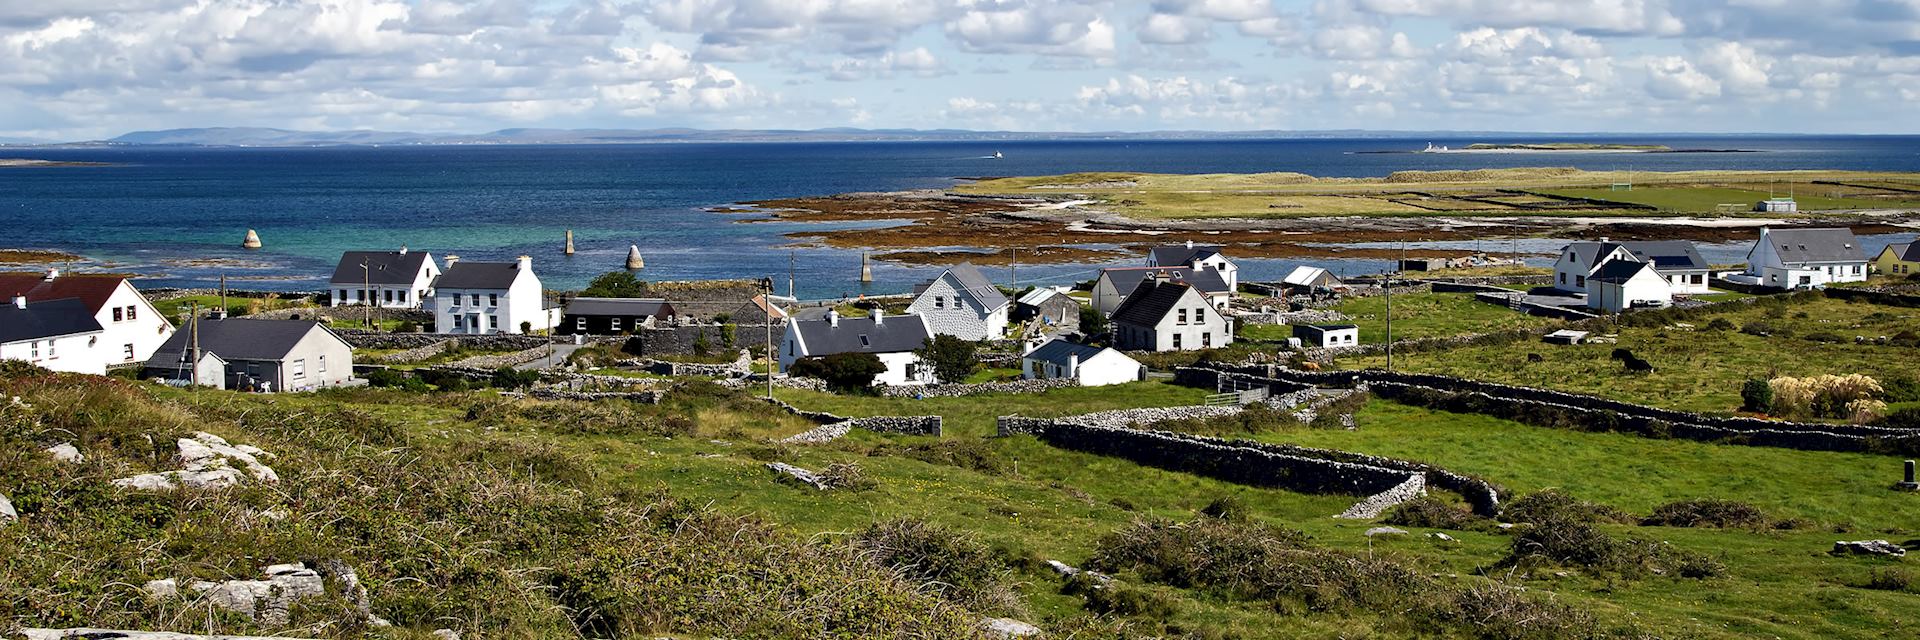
<point x="57" y="335"/>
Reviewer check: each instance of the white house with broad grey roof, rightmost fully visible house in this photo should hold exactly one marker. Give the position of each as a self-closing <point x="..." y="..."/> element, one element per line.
<point x="1806" y="258"/>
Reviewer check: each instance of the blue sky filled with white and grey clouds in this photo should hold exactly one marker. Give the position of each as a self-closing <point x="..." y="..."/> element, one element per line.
<point x="74" y="70"/>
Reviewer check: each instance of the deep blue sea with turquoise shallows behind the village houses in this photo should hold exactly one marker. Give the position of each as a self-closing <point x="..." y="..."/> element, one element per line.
<point x="176" y="216"/>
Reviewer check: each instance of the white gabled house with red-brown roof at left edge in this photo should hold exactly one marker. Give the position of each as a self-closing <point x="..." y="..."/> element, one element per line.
<point x="132" y="326"/>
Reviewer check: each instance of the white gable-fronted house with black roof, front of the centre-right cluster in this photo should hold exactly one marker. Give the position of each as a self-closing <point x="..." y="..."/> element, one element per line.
<point x="1164" y="316"/>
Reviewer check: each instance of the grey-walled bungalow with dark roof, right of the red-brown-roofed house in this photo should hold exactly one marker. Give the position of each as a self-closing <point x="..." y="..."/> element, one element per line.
<point x="258" y="355"/>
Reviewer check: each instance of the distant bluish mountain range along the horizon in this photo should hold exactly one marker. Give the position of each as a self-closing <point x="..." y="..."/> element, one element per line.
<point x="285" y="137"/>
